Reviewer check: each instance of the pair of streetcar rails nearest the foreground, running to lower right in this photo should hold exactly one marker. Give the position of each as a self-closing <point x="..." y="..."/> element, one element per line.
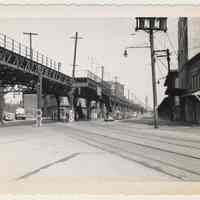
<point x="137" y="154"/>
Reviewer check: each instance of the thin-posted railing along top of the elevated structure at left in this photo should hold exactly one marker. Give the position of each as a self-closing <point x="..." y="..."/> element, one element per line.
<point x="23" y="50"/>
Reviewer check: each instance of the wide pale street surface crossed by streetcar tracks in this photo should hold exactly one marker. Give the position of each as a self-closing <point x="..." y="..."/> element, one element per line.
<point x="100" y="149"/>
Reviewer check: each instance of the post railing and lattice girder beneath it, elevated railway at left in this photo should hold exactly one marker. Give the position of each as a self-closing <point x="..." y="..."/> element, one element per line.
<point x="38" y="63"/>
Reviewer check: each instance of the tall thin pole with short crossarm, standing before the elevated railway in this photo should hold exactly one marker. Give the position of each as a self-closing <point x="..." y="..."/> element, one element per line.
<point x="73" y="74"/>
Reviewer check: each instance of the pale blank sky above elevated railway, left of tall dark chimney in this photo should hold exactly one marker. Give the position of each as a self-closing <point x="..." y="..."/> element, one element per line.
<point x="103" y="43"/>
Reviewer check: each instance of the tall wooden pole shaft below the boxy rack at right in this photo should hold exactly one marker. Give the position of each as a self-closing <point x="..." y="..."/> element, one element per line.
<point x="153" y="79"/>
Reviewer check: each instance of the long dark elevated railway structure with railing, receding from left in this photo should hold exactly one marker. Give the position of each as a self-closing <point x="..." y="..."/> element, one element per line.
<point x="39" y="72"/>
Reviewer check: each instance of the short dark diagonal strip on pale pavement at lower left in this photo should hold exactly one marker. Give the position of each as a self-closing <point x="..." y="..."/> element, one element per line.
<point x="47" y="166"/>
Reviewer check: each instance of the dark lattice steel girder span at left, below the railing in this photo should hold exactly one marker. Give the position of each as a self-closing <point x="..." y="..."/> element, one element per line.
<point x="16" y="69"/>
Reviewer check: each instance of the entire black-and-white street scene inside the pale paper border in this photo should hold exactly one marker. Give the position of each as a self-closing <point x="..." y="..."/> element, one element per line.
<point x="109" y="97"/>
